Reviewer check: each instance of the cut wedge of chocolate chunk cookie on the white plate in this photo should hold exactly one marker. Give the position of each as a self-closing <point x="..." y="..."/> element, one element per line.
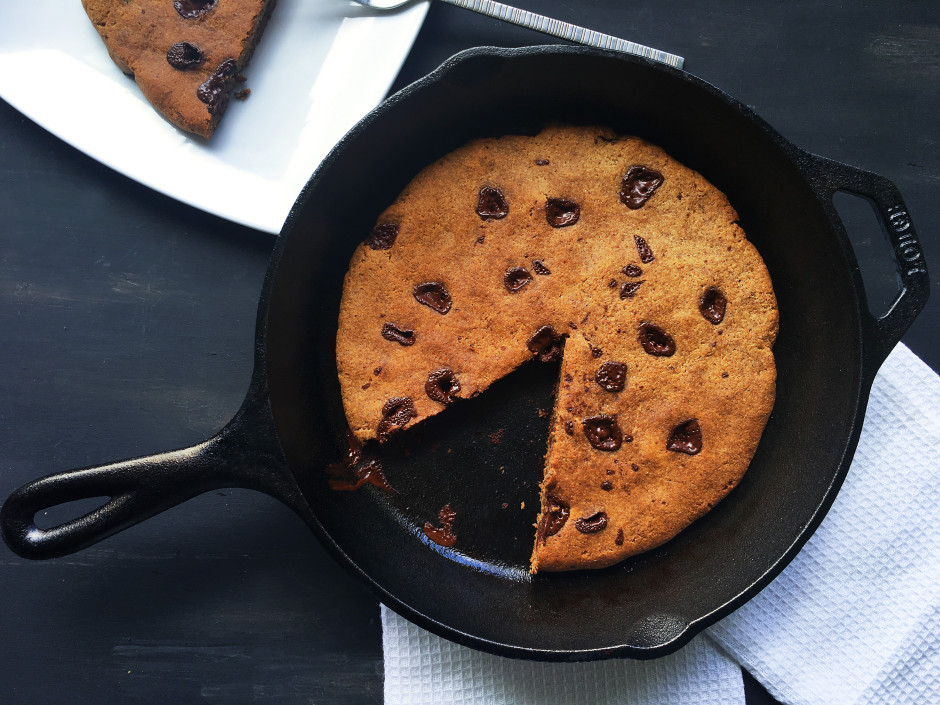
<point x="185" y="55"/>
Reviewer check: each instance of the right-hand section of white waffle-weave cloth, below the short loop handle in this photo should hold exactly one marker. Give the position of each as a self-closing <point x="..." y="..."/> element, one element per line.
<point x="855" y="618"/>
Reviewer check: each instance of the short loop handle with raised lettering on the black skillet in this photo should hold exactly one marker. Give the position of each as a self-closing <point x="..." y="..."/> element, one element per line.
<point x="832" y="176"/>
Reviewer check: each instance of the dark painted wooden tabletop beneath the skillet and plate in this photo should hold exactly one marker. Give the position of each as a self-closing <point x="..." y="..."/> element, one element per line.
<point x="127" y="322"/>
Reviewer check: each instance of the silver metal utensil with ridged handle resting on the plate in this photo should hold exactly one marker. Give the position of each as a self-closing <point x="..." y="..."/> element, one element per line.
<point x="546" y="25"/>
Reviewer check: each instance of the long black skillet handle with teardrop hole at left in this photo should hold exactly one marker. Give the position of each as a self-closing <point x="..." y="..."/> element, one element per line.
<point x="243" y="454"/>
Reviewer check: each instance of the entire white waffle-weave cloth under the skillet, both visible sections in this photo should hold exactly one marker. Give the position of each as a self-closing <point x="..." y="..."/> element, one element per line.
<point x="855" y="618"/>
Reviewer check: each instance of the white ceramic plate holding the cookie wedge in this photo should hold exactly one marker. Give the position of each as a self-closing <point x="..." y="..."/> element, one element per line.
<point x="320" y="66"/>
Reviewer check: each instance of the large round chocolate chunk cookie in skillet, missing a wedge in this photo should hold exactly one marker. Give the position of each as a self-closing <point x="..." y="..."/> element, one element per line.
<point x="598" y="249"/>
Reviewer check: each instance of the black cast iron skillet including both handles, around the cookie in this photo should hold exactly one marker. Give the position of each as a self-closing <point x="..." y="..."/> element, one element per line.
<point x="480" y="594"/>
